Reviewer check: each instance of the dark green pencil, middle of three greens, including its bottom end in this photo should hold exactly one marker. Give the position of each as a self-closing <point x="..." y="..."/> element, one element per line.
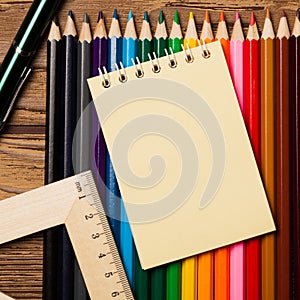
<point x="158" y="274"/>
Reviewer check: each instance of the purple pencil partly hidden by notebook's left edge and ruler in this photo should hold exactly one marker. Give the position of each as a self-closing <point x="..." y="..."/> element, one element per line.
<point x="99" y="148"/>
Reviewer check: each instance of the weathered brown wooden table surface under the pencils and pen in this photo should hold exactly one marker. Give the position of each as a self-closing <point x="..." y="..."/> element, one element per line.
<point x="22" y="144"/>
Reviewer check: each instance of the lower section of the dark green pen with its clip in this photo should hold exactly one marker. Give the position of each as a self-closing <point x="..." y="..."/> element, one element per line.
<point x="13" y="72"/>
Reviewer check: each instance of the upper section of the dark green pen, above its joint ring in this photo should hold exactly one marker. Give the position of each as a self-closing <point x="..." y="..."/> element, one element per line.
<point x="35" y="23"/>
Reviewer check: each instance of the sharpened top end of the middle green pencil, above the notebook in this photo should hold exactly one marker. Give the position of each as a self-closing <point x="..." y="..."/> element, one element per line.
<point x="160" y="42"/>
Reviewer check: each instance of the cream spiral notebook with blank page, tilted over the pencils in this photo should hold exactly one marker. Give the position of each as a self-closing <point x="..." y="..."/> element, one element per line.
<point x="181" y="154"/>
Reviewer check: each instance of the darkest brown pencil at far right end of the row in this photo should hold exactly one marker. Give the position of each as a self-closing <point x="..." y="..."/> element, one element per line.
<point x="295" y="154"/>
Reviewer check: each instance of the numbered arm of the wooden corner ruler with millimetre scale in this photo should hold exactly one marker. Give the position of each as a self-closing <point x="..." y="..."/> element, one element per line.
<point x="94" y="245"/>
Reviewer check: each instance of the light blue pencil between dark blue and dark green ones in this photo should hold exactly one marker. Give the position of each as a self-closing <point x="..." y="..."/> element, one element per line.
<point x="126" y="241"/>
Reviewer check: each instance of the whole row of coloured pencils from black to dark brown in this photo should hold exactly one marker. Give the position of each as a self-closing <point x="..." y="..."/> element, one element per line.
<point x="265" y="72"/>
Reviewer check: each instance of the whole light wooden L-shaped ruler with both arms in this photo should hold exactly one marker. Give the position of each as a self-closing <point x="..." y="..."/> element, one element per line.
<point x="74" y="202"/>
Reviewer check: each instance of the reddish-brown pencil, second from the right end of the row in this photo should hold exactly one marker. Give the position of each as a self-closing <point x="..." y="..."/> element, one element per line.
<point x="282" y="162"/>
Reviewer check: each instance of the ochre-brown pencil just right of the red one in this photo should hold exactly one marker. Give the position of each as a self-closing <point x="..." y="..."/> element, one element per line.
<point x="267" y="150"/>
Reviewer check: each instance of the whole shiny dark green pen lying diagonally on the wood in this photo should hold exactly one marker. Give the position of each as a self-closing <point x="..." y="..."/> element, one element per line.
<point x="16" y="64"/>
